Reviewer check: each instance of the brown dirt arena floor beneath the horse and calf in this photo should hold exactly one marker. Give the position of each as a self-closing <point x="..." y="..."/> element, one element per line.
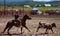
<point x="32" y="25"/>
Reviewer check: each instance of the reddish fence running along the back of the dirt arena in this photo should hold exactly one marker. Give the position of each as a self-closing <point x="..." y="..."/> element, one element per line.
<point x="11" y="12"/>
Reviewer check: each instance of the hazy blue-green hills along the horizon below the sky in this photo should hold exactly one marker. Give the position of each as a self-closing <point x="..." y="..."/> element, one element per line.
<point x="54" y="3"/>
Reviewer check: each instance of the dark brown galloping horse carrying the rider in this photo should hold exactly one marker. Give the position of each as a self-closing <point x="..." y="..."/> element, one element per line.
<point x="17" y="23"/>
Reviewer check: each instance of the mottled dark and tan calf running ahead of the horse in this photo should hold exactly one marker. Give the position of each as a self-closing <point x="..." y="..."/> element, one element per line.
<point x="47" y="27"/>
